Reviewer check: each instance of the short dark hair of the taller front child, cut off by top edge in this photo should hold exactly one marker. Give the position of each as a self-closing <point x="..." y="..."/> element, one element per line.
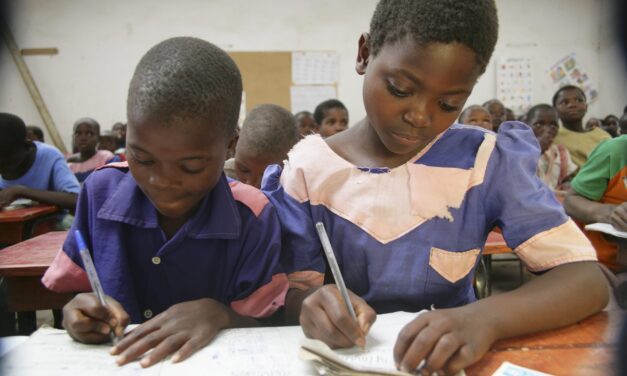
<point x="473" y="23"/>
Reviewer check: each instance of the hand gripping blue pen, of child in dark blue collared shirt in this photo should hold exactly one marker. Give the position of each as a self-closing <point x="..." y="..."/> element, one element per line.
<point x="87" y="321"/>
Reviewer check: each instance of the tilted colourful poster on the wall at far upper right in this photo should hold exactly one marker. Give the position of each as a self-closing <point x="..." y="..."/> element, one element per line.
<point x="568" y="71"/>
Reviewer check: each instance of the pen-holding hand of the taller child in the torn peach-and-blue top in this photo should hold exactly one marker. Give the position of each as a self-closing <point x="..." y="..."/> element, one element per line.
<point x="324" y="316"/>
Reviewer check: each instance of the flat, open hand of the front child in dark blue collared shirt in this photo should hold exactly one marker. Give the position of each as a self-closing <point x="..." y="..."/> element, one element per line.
<point x="182" y="329"/>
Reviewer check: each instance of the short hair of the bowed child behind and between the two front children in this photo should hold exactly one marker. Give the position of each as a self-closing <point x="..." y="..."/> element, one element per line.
<point x="269" y="130"/>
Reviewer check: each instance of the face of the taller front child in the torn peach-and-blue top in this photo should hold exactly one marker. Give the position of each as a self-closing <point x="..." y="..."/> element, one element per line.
<point x="412" y="93"/>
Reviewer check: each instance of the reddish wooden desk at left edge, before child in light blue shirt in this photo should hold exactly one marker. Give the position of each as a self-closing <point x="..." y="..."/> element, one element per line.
<point x="16" y="225"/>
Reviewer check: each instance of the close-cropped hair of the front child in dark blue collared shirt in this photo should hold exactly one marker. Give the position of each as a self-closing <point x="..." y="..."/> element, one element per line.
<point x="185" y="78"/>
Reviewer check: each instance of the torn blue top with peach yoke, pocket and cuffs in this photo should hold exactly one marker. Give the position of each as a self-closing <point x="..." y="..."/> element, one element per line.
<point x="410" y="237"/>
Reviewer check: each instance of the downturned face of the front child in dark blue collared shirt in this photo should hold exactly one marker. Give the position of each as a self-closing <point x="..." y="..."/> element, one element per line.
<point x="176" y="164"/>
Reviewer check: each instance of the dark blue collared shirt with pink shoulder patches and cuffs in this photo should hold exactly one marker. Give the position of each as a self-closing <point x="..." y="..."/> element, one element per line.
<point x="228" y="251"/>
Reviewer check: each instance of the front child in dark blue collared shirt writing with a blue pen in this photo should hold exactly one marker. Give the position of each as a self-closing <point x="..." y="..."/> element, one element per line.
<point x="176" y="245"/>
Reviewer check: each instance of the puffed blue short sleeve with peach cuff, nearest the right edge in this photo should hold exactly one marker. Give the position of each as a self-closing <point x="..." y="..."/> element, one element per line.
<point x="533" y="222"/>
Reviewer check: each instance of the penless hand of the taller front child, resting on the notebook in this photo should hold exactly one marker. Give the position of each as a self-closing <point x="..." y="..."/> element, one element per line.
<point x="448" y="340"/>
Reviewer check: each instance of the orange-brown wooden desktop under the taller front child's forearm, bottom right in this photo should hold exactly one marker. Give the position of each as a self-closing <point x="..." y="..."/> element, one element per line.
<point x="585" y="348"/>
